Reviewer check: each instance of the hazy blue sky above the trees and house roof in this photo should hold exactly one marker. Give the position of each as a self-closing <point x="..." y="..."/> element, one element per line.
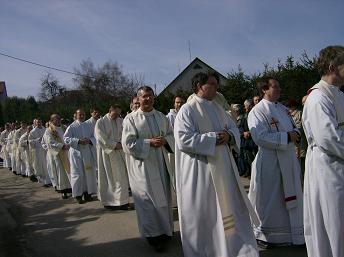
<point x="150" y="37"/>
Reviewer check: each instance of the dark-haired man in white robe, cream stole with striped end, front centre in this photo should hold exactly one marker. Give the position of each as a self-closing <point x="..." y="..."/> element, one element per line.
<point x="213" y="206"/>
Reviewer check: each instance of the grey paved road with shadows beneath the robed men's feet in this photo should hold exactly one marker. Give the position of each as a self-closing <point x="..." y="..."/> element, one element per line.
<point x="50" y="226"/>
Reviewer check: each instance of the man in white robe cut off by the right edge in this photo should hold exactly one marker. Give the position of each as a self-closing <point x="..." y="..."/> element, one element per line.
<point x="323" y="121"/>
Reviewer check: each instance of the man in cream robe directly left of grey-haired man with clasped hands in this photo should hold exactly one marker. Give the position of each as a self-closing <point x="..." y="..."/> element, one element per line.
<point x="112" y="172"/>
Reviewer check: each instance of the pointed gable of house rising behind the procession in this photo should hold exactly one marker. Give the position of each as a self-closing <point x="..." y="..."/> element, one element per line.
<point x="183" y="80"/>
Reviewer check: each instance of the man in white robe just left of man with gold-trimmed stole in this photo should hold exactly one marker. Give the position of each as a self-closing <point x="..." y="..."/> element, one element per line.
<point x="40" y="155"/>
